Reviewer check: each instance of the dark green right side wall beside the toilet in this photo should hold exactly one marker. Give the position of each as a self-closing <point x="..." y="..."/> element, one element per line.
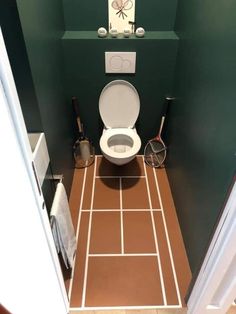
<point x="202" y="128"/>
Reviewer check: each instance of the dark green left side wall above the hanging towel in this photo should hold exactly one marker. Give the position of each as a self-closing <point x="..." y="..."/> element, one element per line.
<point x="43" y="25"/>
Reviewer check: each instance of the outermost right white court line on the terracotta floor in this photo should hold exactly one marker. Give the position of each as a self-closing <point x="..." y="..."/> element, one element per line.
<point x="168" y="240"/>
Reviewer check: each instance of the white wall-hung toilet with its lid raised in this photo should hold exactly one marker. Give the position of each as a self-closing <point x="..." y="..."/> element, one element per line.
<point x="119" y="107"/>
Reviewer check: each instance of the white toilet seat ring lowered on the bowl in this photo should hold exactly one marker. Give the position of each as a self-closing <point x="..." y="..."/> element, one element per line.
<point x="122" y="133"/>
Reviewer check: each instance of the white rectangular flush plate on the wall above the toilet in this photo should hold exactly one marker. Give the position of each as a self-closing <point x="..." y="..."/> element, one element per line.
<point x="120" y="62"/>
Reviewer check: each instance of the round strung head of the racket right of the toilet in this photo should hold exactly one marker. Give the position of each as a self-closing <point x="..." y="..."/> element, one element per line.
<point x="155" y="153"/>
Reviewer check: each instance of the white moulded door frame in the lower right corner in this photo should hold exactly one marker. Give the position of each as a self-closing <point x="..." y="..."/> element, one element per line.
<point x="215" y="288"/>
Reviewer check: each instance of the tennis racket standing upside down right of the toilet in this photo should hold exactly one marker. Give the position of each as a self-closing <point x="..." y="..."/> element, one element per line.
<point x="155" y="149"/>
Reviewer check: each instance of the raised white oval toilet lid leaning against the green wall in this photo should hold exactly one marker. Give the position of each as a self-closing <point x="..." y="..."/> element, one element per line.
<point x="119" y="104"/>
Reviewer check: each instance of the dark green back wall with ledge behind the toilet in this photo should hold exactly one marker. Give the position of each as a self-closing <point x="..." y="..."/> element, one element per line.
<point x="85" y="60"/>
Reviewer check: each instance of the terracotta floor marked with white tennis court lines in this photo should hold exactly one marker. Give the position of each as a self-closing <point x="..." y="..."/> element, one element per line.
<point x="130" y="252"/>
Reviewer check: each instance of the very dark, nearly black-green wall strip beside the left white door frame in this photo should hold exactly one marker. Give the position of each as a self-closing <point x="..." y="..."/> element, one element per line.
<point x="14" y="41"/>
